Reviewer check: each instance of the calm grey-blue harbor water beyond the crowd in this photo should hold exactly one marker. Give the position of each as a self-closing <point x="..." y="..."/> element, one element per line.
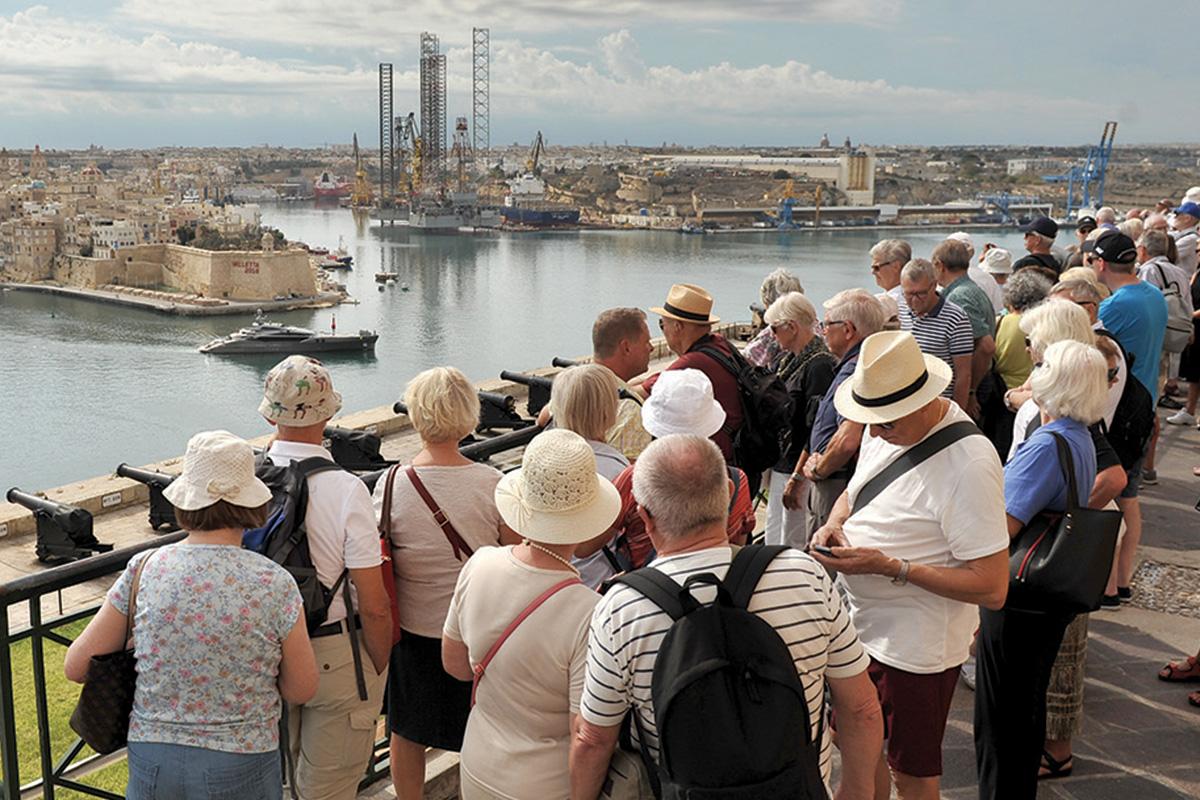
<point x="86" y="386"/>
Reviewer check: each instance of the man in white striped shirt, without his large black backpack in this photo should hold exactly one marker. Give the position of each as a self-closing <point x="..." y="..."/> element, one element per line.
<point x="682" y="491"/>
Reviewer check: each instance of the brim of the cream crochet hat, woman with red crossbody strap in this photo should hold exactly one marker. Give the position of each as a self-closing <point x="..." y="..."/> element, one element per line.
<point x="572" y="527"/>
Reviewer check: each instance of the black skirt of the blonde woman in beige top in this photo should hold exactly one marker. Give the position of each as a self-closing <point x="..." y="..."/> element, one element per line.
<point x="425" y="705"/>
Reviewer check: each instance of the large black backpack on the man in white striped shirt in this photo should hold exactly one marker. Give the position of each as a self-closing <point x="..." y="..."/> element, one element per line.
<point x="729" y="706"/>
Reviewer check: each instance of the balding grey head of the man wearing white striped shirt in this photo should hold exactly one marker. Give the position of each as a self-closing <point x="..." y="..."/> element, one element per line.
<point x="682" y="483"/>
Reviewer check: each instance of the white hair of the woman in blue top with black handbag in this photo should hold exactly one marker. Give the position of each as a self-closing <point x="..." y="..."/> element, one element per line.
<point x="1072" y="382"/>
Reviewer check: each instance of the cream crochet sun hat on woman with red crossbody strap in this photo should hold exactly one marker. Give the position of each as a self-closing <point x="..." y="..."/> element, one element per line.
<point x="557" y="497"/>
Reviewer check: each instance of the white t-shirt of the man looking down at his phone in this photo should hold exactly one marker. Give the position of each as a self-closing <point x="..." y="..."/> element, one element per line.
<point x="946" y="513"/>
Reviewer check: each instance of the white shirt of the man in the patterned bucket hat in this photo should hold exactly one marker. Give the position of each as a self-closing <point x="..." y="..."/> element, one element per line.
<point x="343" y="533"/>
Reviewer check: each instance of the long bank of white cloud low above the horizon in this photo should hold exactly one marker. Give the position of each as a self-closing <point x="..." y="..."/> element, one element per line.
<point x="52" y="67"/>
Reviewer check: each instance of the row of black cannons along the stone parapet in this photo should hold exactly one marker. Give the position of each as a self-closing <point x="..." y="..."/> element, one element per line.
<point x="65" y="532"/>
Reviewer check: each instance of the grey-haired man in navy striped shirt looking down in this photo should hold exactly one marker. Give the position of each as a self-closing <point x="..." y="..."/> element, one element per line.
<point x="940" y="327"/>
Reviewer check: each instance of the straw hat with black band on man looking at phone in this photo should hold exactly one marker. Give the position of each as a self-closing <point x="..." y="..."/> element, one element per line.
<point x="892" y="380"/>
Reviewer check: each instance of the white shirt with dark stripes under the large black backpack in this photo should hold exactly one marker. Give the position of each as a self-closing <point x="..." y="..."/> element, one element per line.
<point x="795" y="597"/>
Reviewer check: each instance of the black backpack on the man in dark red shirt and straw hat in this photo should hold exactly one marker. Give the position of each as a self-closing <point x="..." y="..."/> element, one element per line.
<point x="767" y="414"/>
